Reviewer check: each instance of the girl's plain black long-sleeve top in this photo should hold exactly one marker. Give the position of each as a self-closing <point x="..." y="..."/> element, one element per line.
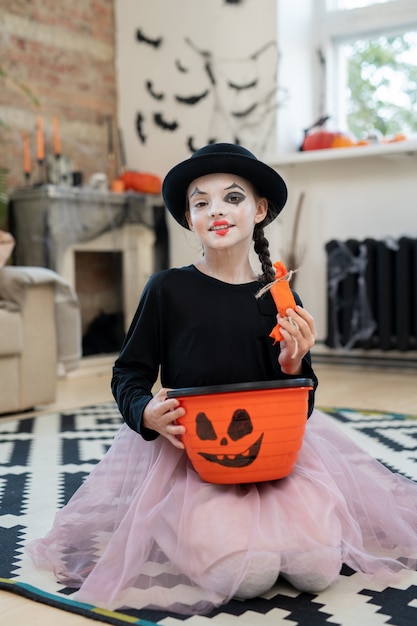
<point x="197" y="331"/>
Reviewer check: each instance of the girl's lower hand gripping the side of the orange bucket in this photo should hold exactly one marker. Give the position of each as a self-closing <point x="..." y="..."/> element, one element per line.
<point x="161" y="413"/>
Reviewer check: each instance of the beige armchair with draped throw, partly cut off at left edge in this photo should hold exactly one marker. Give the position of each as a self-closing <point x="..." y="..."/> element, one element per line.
<point x="40" y="335"/>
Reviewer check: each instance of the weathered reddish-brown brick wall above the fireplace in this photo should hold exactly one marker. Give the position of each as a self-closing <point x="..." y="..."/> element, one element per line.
<point x="64" y="53"/>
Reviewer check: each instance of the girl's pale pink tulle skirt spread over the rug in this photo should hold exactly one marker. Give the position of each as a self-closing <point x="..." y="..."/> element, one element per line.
<point x="145" y="531"/>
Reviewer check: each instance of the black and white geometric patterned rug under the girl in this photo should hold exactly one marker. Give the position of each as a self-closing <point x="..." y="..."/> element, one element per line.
<point x="44" y="459"/>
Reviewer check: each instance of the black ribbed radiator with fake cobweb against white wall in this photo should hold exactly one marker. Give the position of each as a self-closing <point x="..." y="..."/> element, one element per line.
<point x="372" y="294"/>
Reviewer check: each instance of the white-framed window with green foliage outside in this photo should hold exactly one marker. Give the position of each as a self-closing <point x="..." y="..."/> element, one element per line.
<point x="368" y="50"/>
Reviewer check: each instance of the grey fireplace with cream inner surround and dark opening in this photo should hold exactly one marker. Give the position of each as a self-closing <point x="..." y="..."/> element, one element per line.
<point x="105" y="244"/>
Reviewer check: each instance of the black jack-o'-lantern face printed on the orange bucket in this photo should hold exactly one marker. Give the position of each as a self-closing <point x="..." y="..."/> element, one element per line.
<point x="239" y="428"/>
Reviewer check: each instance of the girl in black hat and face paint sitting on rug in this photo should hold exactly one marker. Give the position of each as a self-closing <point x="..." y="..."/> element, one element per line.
<point x="144" y="529"/>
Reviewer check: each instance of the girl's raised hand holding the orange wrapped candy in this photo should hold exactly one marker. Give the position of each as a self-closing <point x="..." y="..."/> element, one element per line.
<point x="299" y="334"/>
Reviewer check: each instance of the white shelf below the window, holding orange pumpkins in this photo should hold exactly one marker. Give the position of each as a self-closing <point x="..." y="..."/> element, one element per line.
<point x="388" y="150"/>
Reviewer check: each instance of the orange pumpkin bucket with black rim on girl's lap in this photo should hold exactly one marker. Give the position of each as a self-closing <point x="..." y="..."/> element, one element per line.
<point x="243" y="433"/>
